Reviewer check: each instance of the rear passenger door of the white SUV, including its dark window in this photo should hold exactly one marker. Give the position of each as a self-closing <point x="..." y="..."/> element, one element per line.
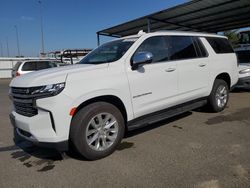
<point x="192" y="62"/>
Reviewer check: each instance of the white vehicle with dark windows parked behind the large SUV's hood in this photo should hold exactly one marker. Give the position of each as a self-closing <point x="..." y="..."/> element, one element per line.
<point x="25" y="67"/>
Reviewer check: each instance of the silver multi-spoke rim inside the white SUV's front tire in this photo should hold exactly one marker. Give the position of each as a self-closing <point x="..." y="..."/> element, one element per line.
<point x="102" y="131"/>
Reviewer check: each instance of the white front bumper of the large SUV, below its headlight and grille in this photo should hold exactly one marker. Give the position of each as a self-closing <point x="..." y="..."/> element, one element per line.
<point x="49" y="125"/>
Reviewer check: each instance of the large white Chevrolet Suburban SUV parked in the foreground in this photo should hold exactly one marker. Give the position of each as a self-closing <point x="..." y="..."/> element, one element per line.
<point x="122" y="85"/>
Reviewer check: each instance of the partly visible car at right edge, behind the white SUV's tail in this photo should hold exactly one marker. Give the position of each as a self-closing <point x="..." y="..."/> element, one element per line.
<point x="243" y="54"/>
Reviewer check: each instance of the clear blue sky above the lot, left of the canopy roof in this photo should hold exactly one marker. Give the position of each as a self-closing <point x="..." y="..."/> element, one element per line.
<point x="66" y="23"/>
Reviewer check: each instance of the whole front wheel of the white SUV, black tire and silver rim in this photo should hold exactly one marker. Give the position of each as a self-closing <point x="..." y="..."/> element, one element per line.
<point x="96" y="130"/>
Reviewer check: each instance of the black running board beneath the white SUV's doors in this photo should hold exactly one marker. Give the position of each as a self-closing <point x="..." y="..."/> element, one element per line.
<point x="164" y="114"/>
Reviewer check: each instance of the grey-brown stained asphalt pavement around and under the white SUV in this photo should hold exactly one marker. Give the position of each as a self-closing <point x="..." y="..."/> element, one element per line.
<point x="197" y="149"/>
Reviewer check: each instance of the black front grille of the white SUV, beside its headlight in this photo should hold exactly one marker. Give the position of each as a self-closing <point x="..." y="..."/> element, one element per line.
<point x="23" y="101"/>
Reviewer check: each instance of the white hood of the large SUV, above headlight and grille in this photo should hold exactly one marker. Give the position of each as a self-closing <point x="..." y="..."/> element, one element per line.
<point x="52" y="75"/>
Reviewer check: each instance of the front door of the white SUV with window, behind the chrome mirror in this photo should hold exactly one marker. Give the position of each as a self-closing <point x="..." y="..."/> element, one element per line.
<point x="153" y="86"/>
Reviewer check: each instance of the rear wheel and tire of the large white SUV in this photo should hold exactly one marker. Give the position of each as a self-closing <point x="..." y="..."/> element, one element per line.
<point x="218" y="99"/>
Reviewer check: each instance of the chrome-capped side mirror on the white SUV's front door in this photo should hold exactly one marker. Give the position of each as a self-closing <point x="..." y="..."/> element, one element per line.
<point x="141" y="58"/>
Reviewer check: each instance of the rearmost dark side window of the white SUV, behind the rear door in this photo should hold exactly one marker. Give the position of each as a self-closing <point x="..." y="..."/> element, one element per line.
<point x="220" y="45"/>
